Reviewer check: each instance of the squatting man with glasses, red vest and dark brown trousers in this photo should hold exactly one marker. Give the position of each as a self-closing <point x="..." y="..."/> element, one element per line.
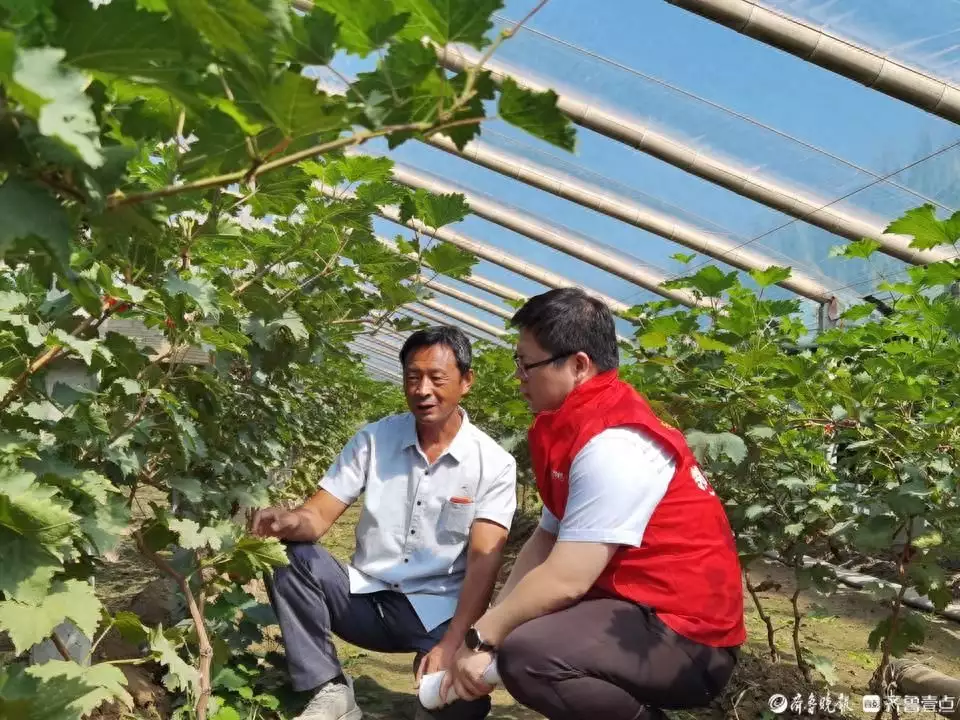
<point x="627" y="598"/>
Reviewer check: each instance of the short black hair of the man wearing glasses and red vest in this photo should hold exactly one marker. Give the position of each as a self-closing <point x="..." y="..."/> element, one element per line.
<point x="567" y="321"/>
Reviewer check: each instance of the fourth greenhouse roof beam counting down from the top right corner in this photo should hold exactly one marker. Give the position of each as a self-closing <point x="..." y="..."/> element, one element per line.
<point x="547" y="234"/>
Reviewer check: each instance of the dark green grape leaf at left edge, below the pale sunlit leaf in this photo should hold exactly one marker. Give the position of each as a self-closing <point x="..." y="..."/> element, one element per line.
<point x="29" y="211"/>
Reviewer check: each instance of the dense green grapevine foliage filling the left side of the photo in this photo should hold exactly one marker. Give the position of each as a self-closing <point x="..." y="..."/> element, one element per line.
<point x="178" y="295"/>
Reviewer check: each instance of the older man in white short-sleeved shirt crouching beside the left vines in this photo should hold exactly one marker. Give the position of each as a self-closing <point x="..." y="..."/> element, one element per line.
<point x="439" y="497"/>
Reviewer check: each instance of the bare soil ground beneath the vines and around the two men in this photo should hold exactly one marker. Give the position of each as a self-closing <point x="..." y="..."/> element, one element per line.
<point x="836" y="627"/>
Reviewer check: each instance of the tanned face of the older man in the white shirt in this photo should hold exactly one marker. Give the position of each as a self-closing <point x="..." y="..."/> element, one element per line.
<point x="433" y="384"/>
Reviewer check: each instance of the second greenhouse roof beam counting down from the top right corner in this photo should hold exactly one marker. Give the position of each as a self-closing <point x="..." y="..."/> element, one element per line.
<point x="713" y="169"/>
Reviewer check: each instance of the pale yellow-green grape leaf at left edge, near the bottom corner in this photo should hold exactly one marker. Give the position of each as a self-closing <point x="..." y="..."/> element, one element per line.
<point x="28" y="624"/>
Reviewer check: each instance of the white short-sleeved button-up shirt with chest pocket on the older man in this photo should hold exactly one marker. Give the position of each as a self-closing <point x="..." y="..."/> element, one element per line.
<point x="415" y="522"/>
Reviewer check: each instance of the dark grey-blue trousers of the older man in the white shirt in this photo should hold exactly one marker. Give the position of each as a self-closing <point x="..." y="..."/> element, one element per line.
<point x="312" y="599"/>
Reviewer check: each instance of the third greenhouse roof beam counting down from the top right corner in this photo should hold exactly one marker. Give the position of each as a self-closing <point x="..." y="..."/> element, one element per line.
<point x="625" y="209"/>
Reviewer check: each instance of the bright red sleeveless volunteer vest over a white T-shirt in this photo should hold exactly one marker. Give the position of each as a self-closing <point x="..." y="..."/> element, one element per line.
<point x="687" y="568"/>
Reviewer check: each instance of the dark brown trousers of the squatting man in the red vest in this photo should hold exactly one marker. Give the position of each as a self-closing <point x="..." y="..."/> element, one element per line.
<point x="610" y="659"/>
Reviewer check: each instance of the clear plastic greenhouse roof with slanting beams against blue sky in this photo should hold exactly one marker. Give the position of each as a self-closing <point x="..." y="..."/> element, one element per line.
<point x="750" y="134"/>
